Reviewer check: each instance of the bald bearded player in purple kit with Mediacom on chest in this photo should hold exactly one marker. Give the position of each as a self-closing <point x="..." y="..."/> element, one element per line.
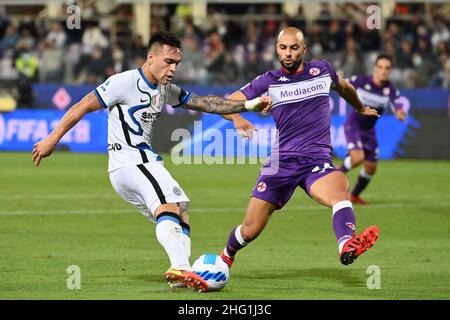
<point x="301" y="110"/>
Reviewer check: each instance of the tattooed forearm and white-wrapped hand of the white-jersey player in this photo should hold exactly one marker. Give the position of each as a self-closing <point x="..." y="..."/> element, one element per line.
<point x="220" y="105"/>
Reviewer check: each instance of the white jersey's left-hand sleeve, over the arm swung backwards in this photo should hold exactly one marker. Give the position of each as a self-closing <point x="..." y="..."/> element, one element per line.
<point x="111" y="91"/>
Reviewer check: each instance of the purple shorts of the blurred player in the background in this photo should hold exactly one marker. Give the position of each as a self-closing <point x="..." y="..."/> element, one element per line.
<point x="366" y="140"/>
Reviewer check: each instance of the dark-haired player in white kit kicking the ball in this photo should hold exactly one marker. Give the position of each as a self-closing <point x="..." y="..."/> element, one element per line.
<point x="135" y="99"/>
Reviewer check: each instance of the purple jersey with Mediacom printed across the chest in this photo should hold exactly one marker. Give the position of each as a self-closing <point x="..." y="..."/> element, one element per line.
<point x="301" y="107"/>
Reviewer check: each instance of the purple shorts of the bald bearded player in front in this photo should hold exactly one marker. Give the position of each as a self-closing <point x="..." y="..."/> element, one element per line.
<point x="277" y="181"/>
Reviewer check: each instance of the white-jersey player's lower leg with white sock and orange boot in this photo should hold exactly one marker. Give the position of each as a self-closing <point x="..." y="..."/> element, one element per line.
<point x="170" y="234"/>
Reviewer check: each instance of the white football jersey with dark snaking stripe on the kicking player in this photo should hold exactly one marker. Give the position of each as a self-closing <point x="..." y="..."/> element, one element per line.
<point x="134" y="105"/>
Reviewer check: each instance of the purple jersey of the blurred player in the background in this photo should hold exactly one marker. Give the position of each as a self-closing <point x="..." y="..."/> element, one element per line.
<point x="371" y="95"/>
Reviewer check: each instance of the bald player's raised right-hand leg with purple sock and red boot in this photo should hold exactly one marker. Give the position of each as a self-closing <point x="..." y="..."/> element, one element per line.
<point x="331" y="190"/>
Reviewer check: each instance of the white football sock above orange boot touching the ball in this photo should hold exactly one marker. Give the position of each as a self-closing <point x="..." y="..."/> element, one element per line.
<point x="170" y="235"/>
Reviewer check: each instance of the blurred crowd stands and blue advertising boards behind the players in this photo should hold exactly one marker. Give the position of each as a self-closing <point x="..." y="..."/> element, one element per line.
<point x="45" y="64"/>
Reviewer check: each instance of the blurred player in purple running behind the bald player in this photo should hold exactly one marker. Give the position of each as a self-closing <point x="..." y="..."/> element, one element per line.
<point x="377" y="92"/>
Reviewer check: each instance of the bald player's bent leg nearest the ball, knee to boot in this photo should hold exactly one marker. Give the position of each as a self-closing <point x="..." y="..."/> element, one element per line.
<point x="258" y="214"/>
